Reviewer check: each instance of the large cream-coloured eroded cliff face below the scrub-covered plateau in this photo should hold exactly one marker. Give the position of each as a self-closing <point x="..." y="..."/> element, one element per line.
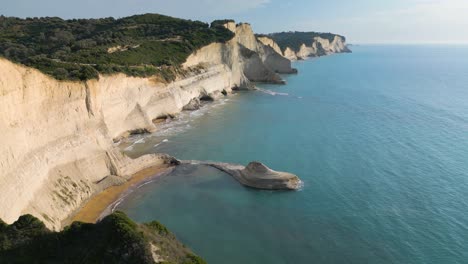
<point x="56" y="149"/>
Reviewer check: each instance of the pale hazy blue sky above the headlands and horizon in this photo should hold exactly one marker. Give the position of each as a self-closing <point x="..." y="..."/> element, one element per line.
<point x="361" y="21"/>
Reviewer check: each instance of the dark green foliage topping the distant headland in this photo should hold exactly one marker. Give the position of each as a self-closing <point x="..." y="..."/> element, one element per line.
<point x="295" y="39"/>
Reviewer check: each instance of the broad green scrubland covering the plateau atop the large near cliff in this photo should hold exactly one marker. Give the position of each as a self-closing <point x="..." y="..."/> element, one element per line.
<point x="80" y="49"/>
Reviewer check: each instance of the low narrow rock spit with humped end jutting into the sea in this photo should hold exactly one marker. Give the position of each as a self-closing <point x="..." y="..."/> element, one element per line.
<point x="256" y="175"/>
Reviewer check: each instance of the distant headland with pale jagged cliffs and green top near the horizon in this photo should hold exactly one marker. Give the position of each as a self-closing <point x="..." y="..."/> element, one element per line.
<point x="300" y="45"/>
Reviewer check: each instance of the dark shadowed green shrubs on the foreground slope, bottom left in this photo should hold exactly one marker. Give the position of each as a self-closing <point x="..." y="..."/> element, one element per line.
<point x="116" y="239"/>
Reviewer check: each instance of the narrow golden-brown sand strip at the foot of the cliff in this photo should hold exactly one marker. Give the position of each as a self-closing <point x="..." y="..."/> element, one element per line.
<point x="98" y="204"/>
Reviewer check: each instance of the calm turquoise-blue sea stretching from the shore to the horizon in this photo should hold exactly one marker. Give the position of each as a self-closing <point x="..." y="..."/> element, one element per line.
<point x="379" y="137"/>
